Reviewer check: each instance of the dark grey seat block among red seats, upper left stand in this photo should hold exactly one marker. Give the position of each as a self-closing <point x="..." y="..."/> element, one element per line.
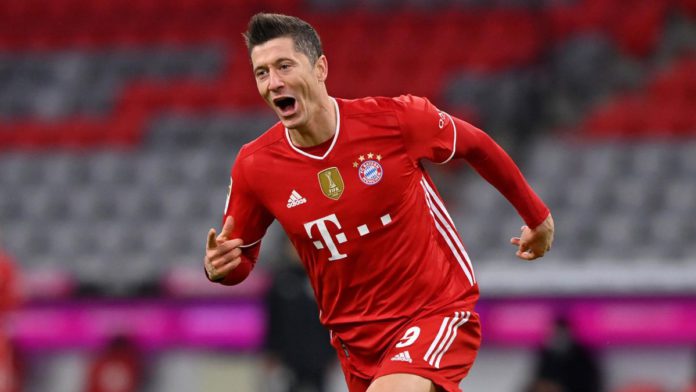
<point x="56" y="86"/>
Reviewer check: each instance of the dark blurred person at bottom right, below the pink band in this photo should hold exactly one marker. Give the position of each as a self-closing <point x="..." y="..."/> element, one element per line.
<point x="565" y="364"/>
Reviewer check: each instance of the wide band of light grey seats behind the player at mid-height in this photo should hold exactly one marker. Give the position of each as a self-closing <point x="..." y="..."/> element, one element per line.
<point x="98" y="229"/>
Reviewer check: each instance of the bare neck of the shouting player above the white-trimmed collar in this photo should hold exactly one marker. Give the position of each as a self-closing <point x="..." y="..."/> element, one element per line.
<point x="320" y="128"/>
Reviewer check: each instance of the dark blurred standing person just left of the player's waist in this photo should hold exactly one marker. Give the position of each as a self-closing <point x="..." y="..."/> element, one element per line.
<point x="297" y="345"/>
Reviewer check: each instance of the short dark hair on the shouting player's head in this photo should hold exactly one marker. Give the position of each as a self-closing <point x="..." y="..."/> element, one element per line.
<point x="264" y="27"/>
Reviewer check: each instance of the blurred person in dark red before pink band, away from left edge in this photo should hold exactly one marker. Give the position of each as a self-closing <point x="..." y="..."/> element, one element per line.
<point x="117" y="368"/>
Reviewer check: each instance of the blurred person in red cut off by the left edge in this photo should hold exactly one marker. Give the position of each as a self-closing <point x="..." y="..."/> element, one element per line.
<point x="11" y="365"/>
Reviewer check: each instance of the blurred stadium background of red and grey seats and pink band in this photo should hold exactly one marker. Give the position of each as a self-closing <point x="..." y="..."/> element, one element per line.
<point x="119" y="121"/>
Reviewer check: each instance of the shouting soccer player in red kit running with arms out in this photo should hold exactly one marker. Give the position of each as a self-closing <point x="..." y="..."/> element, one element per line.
<point x="392" y="279"/>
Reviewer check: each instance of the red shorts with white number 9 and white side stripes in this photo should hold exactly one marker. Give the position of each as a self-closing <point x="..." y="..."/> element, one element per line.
<point x="440" y="347"/>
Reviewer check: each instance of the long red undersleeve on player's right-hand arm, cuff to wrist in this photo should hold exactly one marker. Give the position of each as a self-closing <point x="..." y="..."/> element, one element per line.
<point x="496" y="166"/>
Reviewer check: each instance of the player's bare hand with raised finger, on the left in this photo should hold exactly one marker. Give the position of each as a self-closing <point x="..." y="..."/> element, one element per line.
<point x="222" y="254"/>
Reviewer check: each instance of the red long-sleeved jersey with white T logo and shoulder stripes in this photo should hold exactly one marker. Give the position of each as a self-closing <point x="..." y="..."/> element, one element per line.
<point x="369" y="225"/>
